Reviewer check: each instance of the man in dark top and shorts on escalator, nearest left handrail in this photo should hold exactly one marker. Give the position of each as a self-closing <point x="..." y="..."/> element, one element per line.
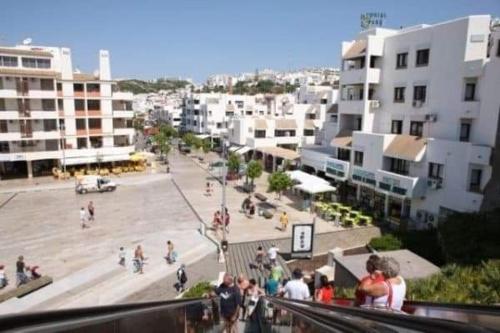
<point x="230" y="301"/>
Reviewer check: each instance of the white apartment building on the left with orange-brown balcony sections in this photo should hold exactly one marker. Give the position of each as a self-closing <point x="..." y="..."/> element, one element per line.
<point x="52" y="116"/>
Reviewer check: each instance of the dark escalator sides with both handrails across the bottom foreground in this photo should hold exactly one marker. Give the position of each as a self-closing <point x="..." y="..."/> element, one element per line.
<point x="276" y="315"/>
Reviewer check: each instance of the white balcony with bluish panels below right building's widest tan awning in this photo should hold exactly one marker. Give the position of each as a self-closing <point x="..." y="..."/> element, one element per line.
<point x="399" y="185"/>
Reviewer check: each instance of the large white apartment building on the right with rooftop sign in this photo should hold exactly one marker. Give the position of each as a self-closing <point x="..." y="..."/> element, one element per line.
<point x="417" y="120"/>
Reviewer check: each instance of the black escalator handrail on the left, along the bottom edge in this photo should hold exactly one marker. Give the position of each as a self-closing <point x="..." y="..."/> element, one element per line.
<point x="87" y="314"/>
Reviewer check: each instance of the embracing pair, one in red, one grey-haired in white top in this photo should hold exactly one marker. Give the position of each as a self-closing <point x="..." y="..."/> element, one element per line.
<point x="383" y="287"/>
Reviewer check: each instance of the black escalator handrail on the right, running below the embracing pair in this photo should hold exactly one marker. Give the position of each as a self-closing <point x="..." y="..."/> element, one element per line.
<point x="391" y="318"/>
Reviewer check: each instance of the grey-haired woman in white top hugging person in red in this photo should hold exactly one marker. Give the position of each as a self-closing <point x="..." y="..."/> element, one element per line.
<point x="391" y="293"/>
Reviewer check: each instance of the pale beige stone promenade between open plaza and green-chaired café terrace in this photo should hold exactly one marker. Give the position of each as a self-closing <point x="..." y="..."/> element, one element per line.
<point x="191" y="176"/>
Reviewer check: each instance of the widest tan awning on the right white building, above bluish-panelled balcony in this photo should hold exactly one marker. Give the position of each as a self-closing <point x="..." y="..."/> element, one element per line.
<point x="406" y="147"/>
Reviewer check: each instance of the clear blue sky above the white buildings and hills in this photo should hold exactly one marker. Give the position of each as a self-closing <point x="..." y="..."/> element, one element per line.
<point x="196" y="38"/>
